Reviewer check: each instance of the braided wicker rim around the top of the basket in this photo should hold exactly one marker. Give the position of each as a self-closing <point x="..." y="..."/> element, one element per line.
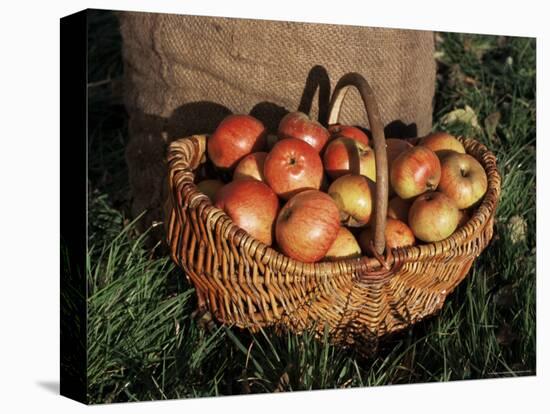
<point x="378" y="268"/>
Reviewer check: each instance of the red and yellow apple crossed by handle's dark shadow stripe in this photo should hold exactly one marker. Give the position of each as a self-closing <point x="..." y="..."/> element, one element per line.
<point x="348" y="156"/>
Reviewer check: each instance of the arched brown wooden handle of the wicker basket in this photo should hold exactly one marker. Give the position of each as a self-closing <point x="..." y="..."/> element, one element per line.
<point x="381" y="160"/>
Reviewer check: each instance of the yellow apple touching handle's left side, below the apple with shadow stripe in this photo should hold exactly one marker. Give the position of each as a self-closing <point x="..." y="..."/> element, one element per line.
<point x="352" y="195"/>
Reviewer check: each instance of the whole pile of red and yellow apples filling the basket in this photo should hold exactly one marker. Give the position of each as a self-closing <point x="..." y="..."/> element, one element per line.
<point x="309" y="191"/>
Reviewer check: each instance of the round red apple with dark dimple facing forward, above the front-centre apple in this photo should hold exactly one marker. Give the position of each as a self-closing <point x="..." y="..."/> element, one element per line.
<point x="293" y="166"/>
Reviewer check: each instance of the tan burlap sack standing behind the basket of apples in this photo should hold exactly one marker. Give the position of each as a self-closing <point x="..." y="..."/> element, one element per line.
<point x="184" y="74"/>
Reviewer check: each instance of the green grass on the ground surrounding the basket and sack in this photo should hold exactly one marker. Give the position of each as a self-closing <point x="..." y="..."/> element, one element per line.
<point x="145" y="343"/>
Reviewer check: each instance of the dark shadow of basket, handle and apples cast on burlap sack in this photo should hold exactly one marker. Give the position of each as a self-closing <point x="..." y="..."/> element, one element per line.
<point x="151" y="135"/>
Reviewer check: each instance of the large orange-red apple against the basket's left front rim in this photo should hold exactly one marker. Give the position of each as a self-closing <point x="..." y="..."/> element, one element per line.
<point x="252" y="206"/>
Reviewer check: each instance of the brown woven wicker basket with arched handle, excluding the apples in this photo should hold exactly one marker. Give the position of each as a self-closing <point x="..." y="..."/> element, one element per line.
<point x="245" y="283"/>
